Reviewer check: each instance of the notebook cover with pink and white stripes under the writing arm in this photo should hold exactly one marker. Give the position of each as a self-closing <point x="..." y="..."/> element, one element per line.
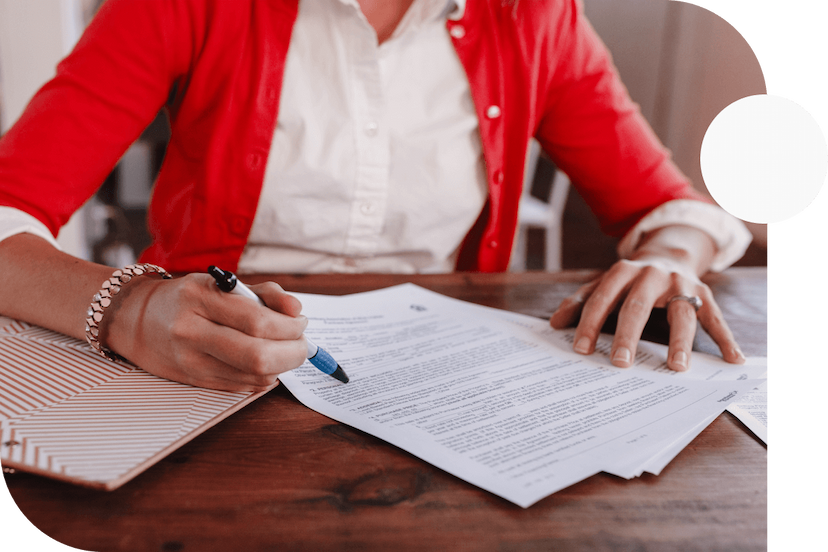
<point x="69" y="414"/>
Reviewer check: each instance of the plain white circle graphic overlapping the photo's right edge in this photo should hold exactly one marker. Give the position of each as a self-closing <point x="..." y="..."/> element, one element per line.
<point x="764" y="159"/>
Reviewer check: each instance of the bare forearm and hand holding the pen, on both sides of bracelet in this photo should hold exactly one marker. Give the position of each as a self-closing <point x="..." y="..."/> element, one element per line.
<point x="184" y="329"/>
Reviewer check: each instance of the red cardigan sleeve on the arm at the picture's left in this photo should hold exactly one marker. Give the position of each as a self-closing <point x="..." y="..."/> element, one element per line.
<point x="78" y="125"/>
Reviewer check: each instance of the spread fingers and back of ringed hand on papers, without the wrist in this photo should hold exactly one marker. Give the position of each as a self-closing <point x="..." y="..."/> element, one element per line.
<point x="634" y="289"/>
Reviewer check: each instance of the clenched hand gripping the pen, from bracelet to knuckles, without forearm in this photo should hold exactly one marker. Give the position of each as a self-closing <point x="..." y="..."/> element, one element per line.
<point x="187" y="330"/>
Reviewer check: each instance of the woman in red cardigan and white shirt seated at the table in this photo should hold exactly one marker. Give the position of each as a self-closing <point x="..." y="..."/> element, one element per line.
<point x="340" y="136"/>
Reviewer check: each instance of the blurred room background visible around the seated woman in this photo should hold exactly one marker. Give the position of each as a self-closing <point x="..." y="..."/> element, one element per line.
<point x="682" y="63"/>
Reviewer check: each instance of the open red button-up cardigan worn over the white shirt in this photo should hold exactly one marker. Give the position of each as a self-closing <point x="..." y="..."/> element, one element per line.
<point x="217" y="66"/>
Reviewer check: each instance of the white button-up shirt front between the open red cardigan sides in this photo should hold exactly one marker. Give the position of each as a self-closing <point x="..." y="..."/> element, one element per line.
<point x="376" y="162"/>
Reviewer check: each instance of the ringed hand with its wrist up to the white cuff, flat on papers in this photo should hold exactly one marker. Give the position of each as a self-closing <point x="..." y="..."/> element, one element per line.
<point x="659" y="275"/>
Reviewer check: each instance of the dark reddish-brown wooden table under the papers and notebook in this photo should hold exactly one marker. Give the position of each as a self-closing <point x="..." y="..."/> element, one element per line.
<point x="263" y="479"/>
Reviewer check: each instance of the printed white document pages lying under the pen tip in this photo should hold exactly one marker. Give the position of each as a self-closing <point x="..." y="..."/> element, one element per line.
<point x="499" y="399"/>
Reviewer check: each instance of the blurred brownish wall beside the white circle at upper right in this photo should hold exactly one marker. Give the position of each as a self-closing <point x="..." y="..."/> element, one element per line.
<point x="682" y="63"/>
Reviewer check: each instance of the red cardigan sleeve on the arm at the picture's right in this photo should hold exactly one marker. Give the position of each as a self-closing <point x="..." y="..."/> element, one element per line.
<point x="597" y="135"/>
